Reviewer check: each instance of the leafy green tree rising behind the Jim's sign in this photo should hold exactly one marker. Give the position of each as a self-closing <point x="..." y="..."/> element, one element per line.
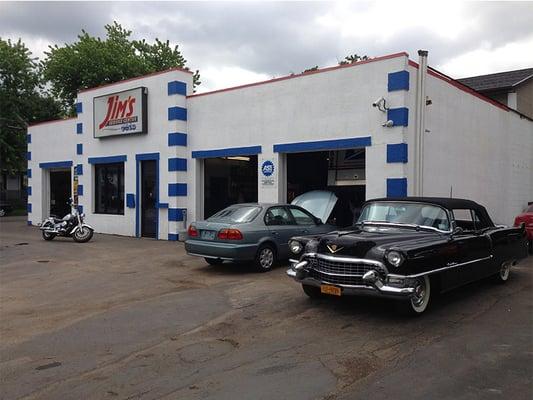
<point x="92" y="61"/>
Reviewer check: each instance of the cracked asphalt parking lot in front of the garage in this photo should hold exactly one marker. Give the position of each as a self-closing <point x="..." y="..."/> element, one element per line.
<point x="125" y="318"/>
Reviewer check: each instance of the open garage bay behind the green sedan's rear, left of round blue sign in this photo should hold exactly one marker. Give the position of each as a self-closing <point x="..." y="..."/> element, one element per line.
<point x="229" y="180"/>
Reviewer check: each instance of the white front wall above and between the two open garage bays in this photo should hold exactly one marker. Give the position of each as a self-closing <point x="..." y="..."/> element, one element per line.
<point x="335" y="104"/>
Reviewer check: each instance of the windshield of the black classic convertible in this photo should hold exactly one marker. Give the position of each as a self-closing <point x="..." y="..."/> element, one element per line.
<point x="419" y="214"/>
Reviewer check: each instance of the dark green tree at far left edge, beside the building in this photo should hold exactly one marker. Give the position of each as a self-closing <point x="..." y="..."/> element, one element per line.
<point x="22" y="101"/>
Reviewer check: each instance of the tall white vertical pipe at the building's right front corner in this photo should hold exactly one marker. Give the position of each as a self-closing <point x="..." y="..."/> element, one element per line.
<point x="420" y="122"/>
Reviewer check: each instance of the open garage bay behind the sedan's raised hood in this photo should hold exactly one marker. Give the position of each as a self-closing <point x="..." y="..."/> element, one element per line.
<point x="341" y="172"/>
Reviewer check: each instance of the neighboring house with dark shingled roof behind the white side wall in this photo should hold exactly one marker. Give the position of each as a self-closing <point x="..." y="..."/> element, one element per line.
<point x="512" y="88"/>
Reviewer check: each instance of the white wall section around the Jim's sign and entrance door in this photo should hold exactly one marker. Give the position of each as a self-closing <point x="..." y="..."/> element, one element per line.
<point x="57" y="142"/>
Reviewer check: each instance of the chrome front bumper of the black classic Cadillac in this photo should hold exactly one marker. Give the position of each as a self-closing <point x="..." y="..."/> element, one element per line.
<point x="374" y="284"/>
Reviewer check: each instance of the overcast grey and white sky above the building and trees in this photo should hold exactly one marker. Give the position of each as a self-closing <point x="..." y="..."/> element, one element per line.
<point x="233" y="43"/>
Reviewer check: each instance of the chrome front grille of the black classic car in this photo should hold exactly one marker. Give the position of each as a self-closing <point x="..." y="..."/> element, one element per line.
<point x="342" y="270"/>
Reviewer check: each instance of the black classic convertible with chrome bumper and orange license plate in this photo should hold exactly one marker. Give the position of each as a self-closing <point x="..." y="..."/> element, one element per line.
<point x="408" y="249"/>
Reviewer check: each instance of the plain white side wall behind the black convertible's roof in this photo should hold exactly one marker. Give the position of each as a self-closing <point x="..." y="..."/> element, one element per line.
<point x="483" y="151"/>
